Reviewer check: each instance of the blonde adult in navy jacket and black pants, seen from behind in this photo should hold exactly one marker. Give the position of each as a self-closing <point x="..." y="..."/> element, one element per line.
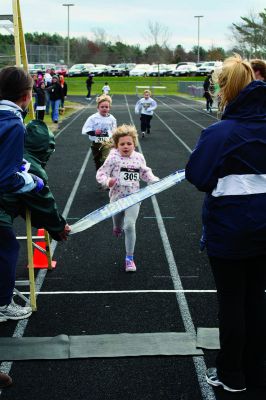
<point x="229" y="165"/>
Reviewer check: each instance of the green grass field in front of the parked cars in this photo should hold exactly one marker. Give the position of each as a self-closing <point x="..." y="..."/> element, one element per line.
<point x="125" y="85"/>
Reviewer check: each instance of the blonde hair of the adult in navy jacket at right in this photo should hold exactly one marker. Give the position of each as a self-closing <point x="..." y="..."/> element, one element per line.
<point x="234" y="75"/>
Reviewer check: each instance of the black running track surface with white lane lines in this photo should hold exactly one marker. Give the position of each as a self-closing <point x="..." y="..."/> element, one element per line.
<point x="167" y="257"/>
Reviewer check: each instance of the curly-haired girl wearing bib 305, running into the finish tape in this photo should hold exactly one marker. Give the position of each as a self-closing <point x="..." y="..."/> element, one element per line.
<point x="121" y="172"/>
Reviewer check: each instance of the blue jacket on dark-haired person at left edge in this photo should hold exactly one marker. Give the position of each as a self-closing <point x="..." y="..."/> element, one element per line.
<point x="12" y="135"/>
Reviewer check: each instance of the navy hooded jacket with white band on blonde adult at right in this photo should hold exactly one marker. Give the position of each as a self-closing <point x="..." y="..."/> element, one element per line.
<point x="229" y="164"/>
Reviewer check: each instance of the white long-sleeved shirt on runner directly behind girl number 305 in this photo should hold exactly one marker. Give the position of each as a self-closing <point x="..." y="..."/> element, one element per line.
<point x="104" y="124"/>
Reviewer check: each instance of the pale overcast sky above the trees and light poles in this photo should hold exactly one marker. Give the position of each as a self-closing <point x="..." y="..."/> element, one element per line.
<point x="127" y="20"/>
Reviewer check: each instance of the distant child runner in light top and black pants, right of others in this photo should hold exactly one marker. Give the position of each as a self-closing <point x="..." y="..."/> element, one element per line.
<point x="145" y="107"/>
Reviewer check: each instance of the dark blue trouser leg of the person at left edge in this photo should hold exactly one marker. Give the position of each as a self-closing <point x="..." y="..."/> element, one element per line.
<point x="9" y="250"/>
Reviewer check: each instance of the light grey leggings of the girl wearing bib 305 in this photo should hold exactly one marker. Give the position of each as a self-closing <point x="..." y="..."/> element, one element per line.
<point x="126" y="220"/>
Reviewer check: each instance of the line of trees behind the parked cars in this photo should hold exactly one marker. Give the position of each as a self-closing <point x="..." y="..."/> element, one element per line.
<point x="249" y="37"/>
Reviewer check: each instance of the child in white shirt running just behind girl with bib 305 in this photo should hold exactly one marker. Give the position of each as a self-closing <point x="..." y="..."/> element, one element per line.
<point x="99" y="127"/>
